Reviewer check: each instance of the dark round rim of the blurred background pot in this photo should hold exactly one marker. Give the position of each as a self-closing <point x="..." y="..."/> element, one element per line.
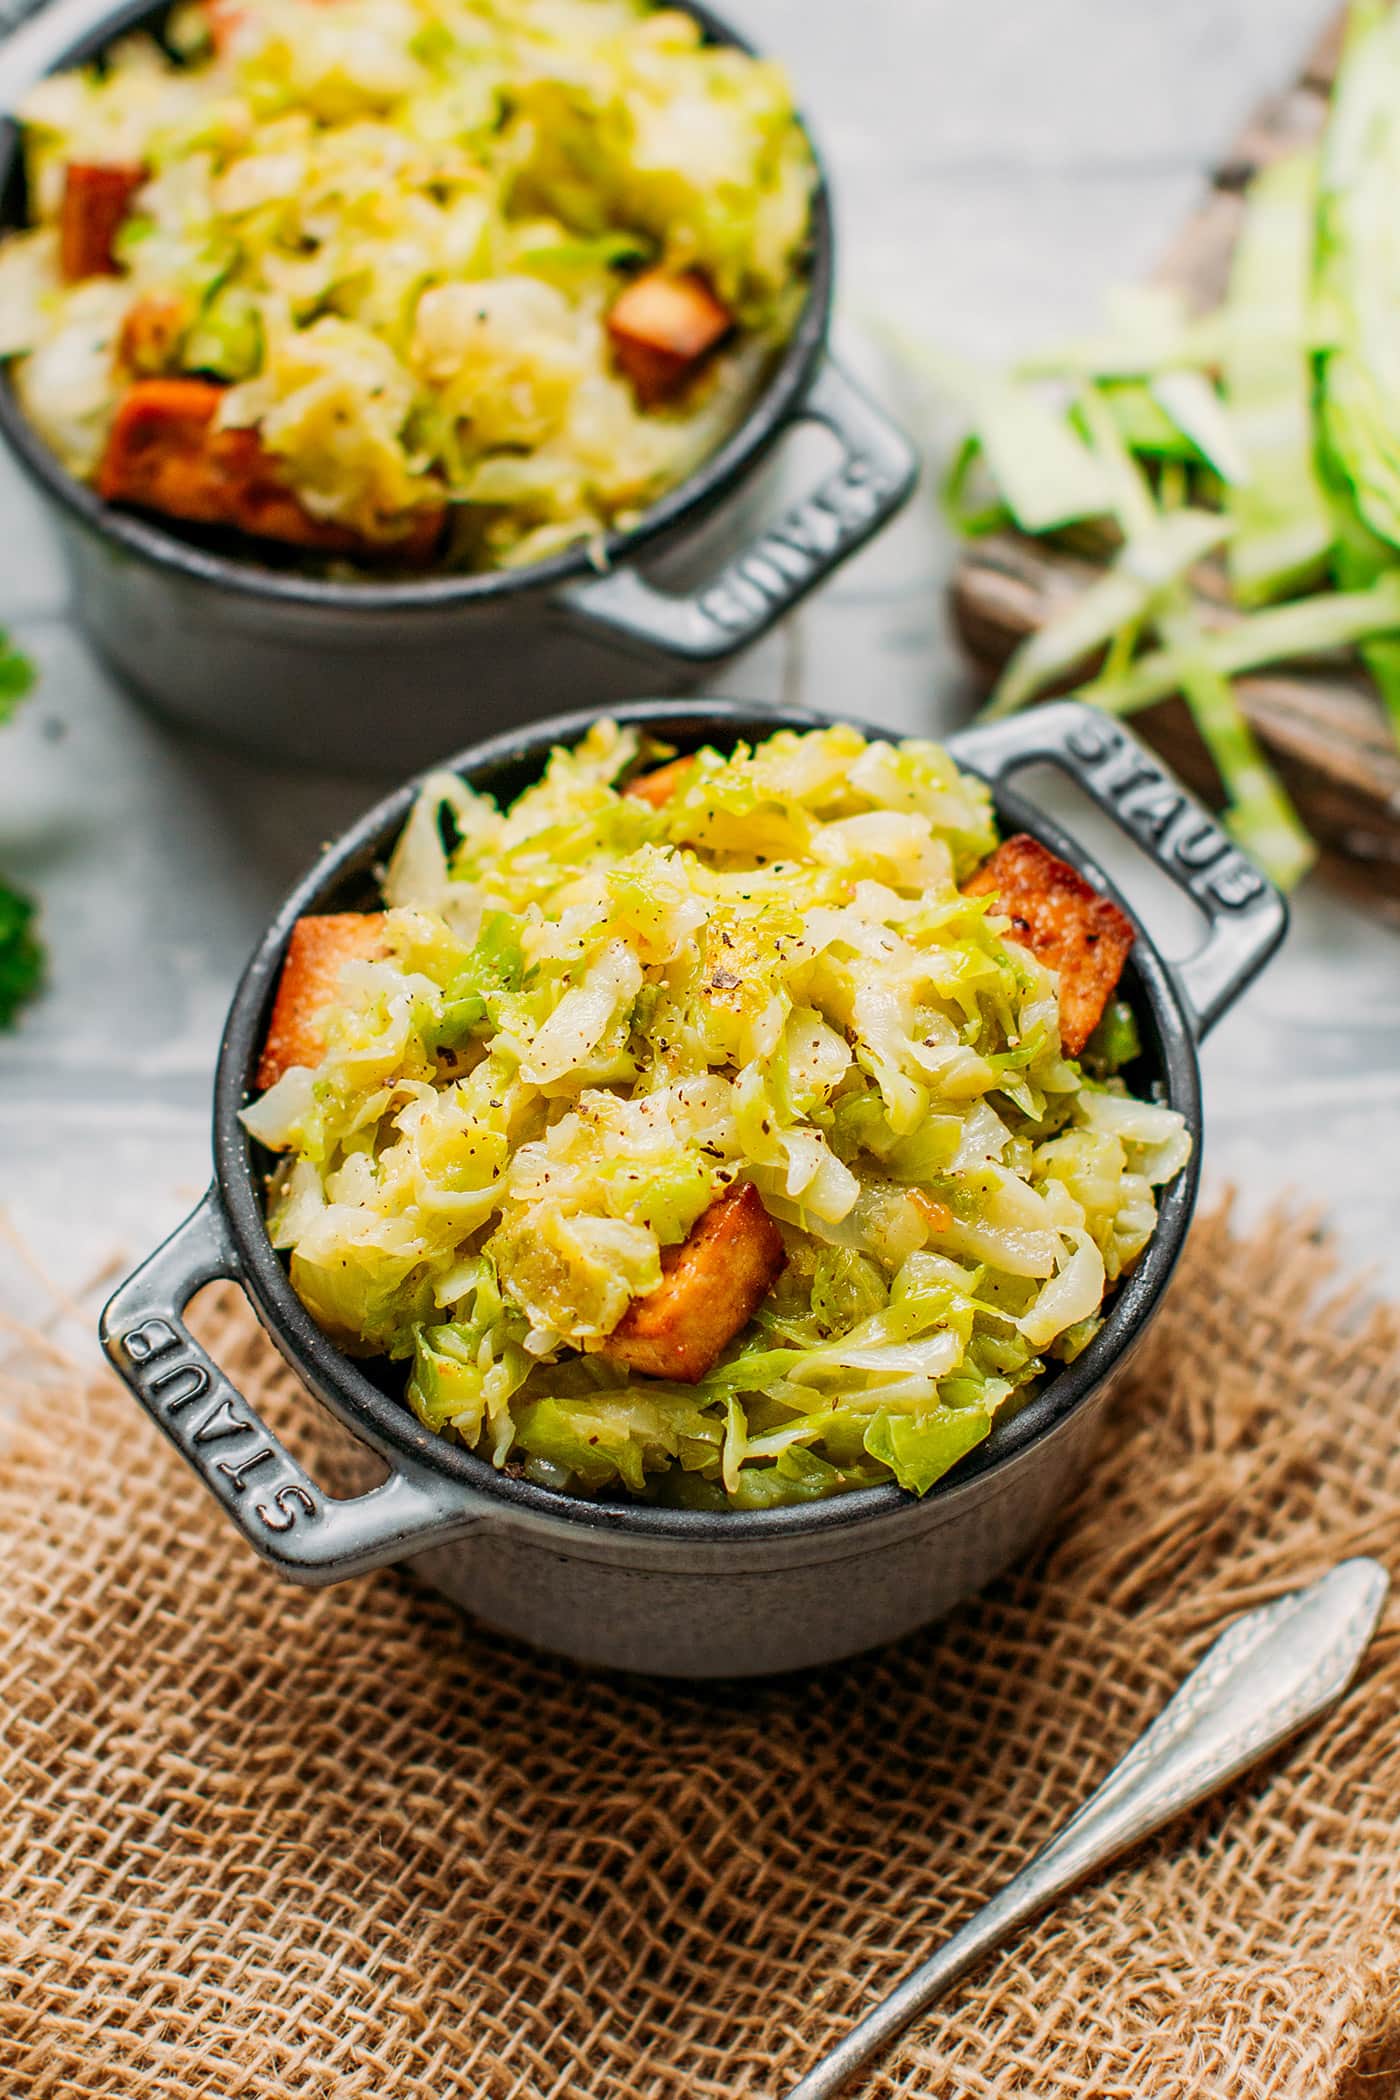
<point x="687" y="503"/>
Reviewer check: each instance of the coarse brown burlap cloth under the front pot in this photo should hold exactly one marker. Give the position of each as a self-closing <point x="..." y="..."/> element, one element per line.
<point x="280" y="1845"/>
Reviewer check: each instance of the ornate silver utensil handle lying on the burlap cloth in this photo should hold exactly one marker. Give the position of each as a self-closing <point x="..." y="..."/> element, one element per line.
<point x="1263" y="1681"/>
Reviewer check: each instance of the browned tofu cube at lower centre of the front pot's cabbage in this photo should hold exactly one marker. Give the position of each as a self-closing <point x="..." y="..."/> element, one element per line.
<point x="713" y="1286"/>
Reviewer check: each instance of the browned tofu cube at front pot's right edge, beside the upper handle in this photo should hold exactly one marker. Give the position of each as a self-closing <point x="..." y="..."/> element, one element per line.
<point x="1065" y="923"/>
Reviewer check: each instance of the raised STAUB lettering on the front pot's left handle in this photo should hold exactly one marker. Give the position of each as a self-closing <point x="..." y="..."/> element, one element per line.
<point x="171" y="1379"/>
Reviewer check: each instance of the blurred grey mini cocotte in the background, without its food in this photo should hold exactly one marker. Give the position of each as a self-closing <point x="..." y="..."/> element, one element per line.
<point x="385" y="675"/>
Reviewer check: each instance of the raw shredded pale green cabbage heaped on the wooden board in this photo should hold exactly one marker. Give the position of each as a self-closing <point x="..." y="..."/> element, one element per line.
<point x="1258" y="440"/>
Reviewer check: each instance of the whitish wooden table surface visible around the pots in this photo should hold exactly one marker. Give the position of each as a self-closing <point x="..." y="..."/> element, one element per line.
<point x="996" y="167"/>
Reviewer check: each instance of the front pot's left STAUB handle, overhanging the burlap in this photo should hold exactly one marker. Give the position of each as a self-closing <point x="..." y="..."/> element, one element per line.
<point x="282" y="1513"/>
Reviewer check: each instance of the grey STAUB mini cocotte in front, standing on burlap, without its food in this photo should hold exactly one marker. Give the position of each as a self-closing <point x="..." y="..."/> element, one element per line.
<point x="679" y="1593"/>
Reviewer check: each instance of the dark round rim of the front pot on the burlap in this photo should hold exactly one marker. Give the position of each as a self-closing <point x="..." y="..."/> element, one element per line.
<point x="347" y="875"/>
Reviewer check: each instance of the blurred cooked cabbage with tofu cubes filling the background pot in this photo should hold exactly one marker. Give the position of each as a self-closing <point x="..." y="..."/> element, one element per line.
<point x="404" y="282"/>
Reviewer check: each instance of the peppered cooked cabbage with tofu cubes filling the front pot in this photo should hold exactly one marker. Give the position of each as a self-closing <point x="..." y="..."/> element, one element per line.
<point x="725" y="1131"/>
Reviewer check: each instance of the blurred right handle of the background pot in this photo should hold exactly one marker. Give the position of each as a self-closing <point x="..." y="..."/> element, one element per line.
<point x="876" y="476"/>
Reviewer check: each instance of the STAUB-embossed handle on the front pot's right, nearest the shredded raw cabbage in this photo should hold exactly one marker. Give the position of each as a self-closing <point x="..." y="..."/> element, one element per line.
<point x="1248" y="917"/>
